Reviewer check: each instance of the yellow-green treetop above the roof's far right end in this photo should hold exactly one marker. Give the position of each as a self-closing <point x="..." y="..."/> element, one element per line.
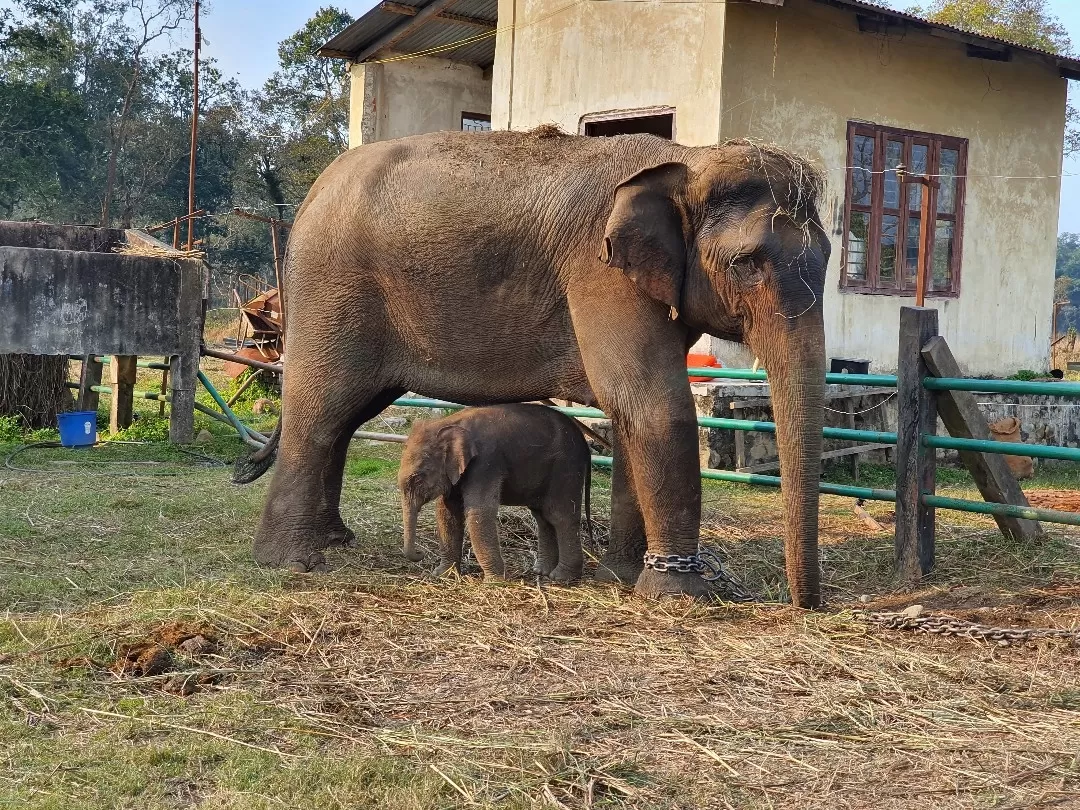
<point x="1028" y="23"/>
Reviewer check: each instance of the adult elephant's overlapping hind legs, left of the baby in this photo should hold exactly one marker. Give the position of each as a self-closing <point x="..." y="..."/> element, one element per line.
<point x="302" y="514"/>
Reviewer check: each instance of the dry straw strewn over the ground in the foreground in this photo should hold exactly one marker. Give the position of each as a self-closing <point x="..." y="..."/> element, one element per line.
<point x="573" y="696"/>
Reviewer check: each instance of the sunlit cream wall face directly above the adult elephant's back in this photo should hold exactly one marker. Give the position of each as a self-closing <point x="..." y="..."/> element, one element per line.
<point x="562" y="61"/>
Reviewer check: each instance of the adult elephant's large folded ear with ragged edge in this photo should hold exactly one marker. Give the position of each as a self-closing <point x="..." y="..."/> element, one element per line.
<point x="644" y="235"/>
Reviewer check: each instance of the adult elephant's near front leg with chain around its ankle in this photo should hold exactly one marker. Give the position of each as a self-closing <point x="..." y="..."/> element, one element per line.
<point x="664" y="458"/>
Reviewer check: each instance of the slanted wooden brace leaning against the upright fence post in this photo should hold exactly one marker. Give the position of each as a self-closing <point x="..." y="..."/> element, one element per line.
<point x="963" y="418"/>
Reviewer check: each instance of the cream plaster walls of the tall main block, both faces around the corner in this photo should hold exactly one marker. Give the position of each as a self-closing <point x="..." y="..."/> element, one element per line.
<point x="796" y="75"/>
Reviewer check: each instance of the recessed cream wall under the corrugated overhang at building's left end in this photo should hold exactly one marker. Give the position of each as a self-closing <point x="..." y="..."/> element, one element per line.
<point x="393" y="100"/>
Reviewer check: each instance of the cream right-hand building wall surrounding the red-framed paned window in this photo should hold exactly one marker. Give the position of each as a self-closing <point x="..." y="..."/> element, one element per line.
<point x="796" y="75"/>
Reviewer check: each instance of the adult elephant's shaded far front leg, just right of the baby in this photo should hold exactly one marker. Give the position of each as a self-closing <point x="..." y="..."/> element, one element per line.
<point x="624" y="560"/>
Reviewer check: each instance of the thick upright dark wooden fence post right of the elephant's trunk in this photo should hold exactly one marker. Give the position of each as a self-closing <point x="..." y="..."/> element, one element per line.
<point x="917" y="414"/>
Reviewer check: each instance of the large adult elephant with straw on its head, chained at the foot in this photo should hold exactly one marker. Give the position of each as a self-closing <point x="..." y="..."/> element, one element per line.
<point x="511" y="267"/>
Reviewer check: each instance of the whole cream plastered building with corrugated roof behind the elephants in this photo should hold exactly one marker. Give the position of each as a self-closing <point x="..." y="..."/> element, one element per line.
<point x="855" y="87"/>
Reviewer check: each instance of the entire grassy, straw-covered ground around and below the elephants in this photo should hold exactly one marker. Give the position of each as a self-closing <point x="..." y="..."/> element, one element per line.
<point x="146" y="663"/>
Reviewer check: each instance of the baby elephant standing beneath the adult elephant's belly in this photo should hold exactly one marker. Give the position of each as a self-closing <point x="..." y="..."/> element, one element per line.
<point x="479" y="458"/>
